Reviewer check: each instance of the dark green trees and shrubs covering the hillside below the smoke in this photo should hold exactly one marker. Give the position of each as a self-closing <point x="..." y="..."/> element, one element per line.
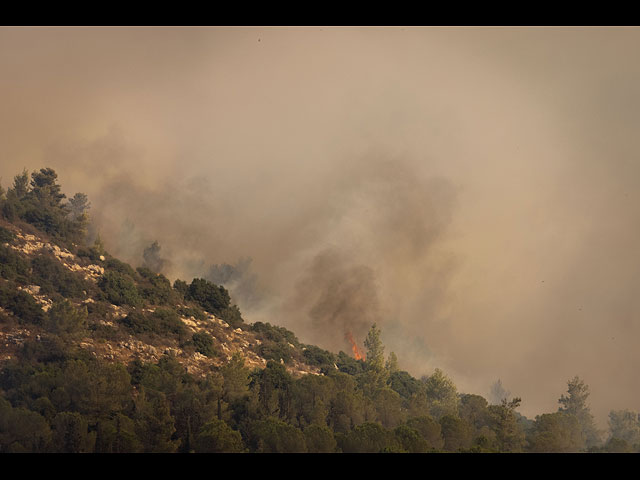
<point x="57" y="397"/>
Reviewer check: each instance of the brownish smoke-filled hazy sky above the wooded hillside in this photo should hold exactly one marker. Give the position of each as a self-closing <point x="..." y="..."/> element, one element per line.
<point x="471" y="190"/>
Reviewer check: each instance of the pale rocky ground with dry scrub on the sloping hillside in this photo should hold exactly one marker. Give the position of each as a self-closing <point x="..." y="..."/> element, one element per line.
<point x="108" y="335"/>
